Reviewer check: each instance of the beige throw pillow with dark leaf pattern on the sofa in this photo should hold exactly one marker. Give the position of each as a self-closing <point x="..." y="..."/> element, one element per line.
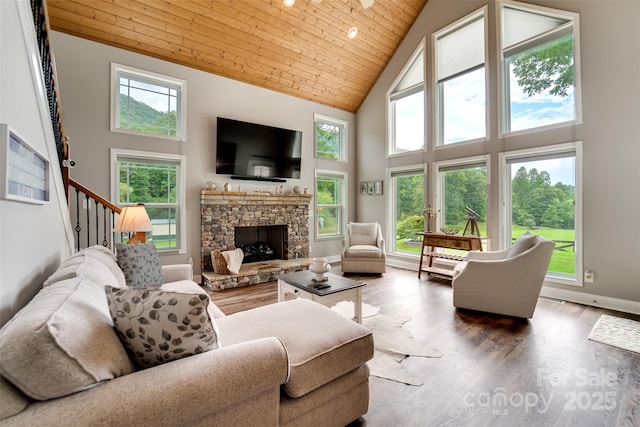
<point x="158" y="326"/>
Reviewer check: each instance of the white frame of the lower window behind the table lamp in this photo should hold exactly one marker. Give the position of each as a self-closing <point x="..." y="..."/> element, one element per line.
<point x="181" y="211"/>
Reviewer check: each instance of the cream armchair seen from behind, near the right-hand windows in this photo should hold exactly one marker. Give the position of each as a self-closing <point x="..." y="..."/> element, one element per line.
<point x="504" y="282"/>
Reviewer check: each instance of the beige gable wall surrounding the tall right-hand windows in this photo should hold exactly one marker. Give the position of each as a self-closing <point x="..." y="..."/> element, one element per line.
<point x="610" y="43"/>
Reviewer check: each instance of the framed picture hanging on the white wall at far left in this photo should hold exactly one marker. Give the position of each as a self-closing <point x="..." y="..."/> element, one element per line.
<point x="25" y="172"/>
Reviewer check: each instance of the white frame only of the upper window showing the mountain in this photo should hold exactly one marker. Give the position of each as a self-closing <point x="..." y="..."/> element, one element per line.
<point x="153" y="78"/>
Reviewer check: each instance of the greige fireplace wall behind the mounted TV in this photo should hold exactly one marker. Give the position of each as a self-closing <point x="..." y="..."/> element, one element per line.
<point x="84" y="71"/>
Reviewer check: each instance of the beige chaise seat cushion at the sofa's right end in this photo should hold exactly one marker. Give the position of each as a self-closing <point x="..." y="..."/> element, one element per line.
<point x="322" y="345"/>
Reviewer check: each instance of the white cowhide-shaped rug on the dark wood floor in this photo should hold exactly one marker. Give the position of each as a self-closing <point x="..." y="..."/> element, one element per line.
<point x="392" y="343"/>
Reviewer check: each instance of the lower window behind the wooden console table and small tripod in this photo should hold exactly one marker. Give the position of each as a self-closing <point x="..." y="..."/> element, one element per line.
<point x="461" y="193"/>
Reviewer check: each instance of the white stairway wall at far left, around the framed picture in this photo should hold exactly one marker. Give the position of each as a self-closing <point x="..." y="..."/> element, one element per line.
<point x="33" y="238"/>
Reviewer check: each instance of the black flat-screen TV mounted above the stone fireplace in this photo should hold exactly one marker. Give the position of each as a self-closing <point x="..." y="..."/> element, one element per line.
<point x="257" y="152"/>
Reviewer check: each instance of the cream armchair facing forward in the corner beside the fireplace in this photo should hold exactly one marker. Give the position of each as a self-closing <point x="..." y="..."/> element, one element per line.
<point x="364" y="249"/>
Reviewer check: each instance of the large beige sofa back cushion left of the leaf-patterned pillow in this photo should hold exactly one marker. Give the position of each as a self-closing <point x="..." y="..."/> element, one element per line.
<point x="62" y="342"/>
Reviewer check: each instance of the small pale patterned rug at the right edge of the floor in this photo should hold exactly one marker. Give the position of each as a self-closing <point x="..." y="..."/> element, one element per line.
<point x="618" y="332"/>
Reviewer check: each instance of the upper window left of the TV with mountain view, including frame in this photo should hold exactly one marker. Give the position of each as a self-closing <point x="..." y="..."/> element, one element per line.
<point x="148" y="103"/>
